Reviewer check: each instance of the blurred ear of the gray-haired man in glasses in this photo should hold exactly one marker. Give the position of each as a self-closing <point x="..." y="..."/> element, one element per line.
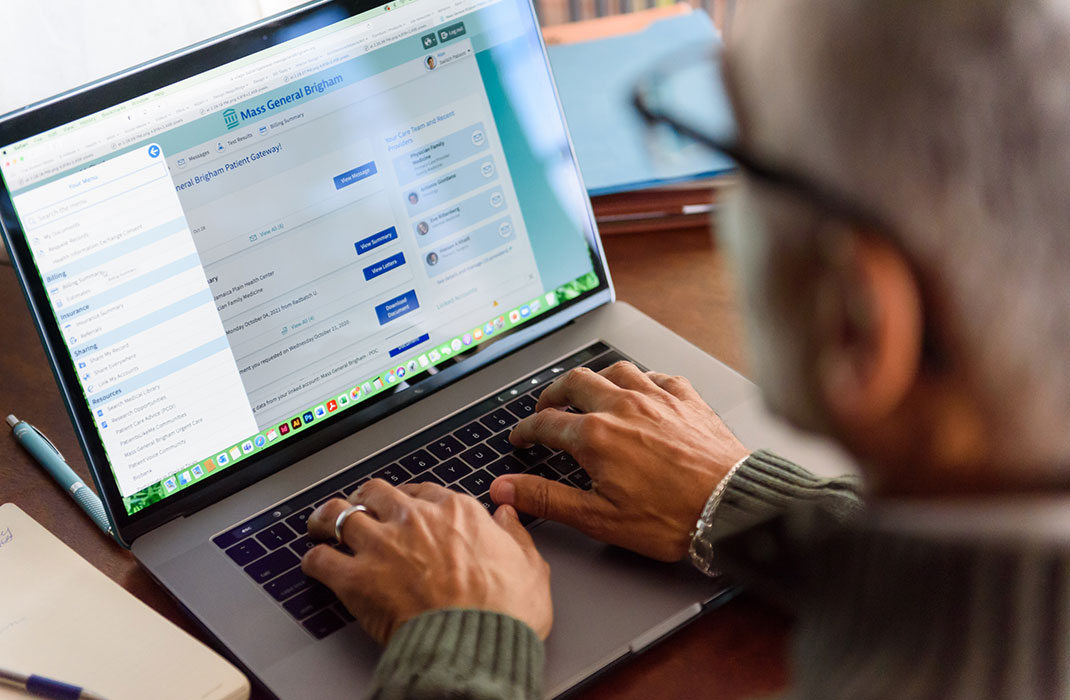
<point x="869" y="321"/>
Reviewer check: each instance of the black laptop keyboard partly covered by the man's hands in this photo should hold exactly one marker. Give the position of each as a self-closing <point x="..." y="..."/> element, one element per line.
<point x="464" y="453"/>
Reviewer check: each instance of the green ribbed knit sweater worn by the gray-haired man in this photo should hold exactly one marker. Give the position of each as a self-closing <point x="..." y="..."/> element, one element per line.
<point x="900" y="603"/>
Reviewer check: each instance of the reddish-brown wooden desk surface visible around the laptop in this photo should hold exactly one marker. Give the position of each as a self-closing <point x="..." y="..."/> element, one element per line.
<point x="736" y="652"/>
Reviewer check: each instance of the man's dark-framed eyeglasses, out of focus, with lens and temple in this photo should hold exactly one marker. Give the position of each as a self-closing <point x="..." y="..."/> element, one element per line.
<point x="684" y="95"/>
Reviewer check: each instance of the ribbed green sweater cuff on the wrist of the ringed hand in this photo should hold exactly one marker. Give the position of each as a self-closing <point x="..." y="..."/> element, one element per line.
<point x="454" y="653"/>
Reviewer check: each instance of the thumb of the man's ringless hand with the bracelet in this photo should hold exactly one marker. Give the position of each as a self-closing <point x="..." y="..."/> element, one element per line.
<point x="551" y="500"/>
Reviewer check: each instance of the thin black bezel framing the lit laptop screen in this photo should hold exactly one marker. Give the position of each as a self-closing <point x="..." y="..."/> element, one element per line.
<point x="160" y="73"/>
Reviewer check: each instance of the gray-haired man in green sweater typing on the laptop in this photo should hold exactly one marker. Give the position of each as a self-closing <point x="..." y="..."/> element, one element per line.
<point x="914" y="307"/>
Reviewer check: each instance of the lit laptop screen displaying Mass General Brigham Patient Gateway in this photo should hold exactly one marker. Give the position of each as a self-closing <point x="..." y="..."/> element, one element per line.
<point x="274" y="241"/>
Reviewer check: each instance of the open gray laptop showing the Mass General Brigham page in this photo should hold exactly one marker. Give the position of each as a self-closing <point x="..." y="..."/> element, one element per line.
<point x="351" y="241"/>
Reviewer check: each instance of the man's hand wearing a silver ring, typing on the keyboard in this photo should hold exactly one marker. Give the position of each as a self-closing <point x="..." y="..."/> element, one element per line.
<point x="423" y="549"/>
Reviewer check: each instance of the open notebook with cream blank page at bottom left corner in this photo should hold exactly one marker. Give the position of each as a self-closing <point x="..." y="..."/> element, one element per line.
<point x="64" y="619"/>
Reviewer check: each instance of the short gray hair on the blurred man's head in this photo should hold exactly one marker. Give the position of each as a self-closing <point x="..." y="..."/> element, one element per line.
<point x="952" y="118"/>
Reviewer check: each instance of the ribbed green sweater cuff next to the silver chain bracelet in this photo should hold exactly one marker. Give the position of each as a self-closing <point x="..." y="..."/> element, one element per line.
<point x="768" y="485"/>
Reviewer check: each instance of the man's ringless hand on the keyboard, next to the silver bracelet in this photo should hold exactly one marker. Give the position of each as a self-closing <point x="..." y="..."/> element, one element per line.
<point x="654" y="451"/>
